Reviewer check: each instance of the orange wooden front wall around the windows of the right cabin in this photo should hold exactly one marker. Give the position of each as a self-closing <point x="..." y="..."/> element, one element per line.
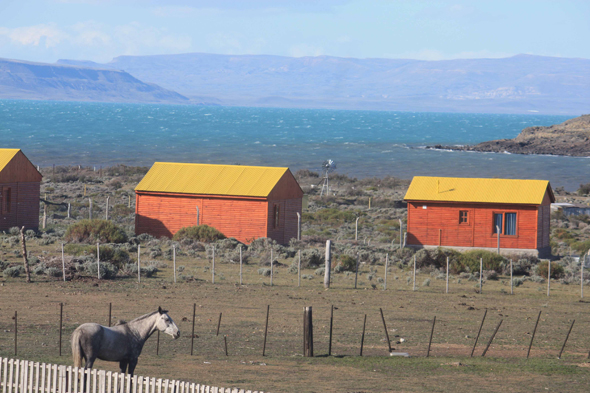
<point x="438" y="225"/>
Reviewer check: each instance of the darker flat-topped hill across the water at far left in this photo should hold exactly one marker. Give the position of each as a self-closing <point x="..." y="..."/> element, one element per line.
<point x="38" y="81"/>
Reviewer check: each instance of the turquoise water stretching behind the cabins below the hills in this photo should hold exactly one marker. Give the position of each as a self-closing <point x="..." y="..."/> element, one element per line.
<point x="363" y="143"/>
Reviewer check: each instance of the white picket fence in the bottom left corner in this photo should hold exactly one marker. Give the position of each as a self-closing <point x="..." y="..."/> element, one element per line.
<point x="23" y="376"/>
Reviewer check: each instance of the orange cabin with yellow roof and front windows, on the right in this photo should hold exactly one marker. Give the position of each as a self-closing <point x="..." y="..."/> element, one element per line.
<point x="465" y="213"/>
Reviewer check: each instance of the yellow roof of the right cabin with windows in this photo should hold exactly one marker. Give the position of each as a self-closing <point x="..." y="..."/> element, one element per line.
<point x="456" y="189"/>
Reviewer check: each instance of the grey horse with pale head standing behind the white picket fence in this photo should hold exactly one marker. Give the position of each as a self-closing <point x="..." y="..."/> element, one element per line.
<point x="121" y="343"/>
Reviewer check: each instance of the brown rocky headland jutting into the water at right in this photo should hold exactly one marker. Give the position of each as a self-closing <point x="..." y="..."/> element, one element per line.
<point x="570" y="138"/>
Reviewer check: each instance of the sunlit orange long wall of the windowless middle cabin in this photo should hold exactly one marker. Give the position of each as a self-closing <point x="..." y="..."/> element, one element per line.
<point x="163" y="215"/>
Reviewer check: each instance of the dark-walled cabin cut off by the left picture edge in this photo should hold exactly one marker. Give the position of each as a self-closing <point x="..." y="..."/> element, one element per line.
<point x="20" y="184"/>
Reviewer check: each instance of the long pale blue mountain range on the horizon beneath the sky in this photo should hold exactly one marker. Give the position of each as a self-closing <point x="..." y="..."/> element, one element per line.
<point x="519" y="84"/>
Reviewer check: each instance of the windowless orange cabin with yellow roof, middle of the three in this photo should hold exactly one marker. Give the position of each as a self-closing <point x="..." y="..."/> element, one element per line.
<point x="244" y="202"/>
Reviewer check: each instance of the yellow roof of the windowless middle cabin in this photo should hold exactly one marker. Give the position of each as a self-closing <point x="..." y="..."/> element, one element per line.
<point x="254" y="181"/>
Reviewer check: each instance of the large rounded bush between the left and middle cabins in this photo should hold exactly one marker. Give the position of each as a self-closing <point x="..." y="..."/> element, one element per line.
<point x="87" y="231"/>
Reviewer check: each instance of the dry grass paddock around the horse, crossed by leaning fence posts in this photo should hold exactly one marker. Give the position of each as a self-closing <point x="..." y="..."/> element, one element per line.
<point x="408" y="315"/>
